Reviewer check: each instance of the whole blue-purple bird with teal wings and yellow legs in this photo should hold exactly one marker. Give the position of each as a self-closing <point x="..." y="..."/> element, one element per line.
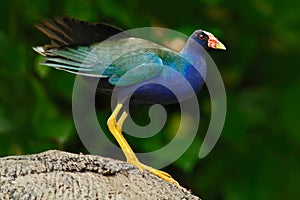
<point x="125" y="63"/>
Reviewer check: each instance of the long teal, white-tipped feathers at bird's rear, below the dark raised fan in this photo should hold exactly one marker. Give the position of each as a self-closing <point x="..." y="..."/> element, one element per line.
<point x="79" y="60"/>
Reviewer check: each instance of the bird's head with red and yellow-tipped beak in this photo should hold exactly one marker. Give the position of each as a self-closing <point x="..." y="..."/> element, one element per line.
<point x="207" y="40"/>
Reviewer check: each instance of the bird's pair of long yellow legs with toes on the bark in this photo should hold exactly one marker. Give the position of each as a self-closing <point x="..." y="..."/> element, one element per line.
<point x="116" y="129"/>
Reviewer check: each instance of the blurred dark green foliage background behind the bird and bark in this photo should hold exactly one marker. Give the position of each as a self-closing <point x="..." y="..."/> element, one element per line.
<point x="258" y="154"/>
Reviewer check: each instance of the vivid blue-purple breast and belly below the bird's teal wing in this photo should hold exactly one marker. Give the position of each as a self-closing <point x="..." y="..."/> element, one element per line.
<point x="169" y="87"/>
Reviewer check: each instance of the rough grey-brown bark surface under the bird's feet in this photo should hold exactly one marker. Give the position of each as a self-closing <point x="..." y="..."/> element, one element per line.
<point x="61" y="175"/>
